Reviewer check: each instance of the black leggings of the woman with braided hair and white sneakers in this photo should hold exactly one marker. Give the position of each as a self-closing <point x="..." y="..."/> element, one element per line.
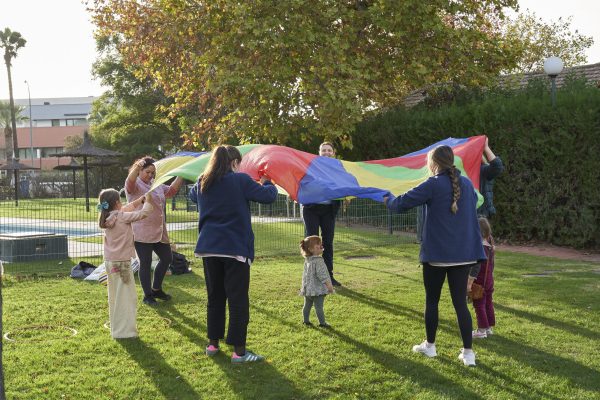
<point x="433" y="278"/>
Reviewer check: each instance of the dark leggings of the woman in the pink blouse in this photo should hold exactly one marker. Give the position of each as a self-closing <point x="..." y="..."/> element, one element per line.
<point x="165" y="256"/>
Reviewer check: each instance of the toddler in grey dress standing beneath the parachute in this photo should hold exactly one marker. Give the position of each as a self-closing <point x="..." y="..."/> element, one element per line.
<point x="316" y="283"/>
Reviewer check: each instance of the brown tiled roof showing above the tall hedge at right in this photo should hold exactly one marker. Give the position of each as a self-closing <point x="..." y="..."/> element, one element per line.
<point x="590" y="71"/>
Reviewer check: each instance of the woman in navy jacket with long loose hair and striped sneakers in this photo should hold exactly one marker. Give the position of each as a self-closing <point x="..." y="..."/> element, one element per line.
<point x="226" y="245"/>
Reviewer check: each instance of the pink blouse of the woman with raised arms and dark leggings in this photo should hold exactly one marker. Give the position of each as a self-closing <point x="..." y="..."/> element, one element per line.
<point x="154" y="228"/>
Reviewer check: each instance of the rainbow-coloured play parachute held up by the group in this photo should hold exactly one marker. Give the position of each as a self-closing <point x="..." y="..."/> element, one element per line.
<point x="309" y="178"/>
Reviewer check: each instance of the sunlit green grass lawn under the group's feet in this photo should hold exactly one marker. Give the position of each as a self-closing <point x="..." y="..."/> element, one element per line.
<point x="545" y="347"/>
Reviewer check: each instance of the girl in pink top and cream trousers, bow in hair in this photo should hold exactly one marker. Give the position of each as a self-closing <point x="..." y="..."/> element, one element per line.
<point x="116" y="221"/>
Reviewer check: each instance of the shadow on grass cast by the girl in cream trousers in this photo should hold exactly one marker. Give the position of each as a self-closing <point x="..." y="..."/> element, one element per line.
<point x="164" y="377"/>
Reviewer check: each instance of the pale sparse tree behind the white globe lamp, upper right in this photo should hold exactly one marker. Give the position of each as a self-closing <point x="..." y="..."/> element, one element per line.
<point x="540" y="40"/>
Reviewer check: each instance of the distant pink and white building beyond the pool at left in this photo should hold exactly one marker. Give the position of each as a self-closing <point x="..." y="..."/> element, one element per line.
<point x="53" y="120"/>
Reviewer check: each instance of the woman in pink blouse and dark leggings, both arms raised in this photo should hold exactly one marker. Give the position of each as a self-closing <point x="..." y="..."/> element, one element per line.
<point x="150" y="234"/>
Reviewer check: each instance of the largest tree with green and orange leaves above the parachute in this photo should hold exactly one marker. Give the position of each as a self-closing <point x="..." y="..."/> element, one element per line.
<point x="262" y="71"/>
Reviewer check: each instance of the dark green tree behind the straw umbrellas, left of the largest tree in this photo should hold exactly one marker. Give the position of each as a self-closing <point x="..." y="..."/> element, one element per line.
<point x="131" y="117"/>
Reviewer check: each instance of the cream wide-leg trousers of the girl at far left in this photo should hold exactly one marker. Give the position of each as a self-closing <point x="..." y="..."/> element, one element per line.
<point x="122" y="299"/>
